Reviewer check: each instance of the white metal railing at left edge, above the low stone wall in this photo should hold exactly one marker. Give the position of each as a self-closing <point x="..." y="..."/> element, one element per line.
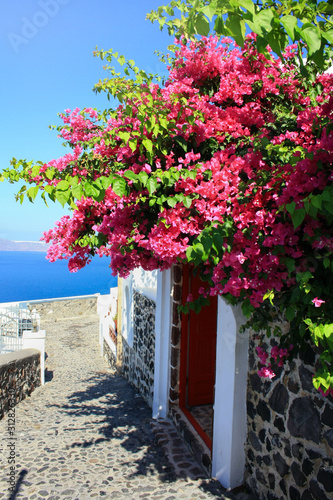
<point x="14" y="320"/>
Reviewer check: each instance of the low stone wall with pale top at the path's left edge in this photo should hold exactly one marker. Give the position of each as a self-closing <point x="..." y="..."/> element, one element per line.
<point x="19" y="376"/>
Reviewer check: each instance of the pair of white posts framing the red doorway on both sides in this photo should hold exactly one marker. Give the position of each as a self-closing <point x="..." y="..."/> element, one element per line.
<point x="230" y="422"/>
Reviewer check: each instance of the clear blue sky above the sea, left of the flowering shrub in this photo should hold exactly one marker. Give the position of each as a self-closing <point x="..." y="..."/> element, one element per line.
<point x="47" y="66"/>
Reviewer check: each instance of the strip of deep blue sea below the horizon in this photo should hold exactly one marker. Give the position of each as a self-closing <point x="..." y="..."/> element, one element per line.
<point x="30" y="276"/>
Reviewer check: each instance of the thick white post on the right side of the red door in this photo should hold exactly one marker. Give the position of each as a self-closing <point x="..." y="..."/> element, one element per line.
<point x="230" y="428"/>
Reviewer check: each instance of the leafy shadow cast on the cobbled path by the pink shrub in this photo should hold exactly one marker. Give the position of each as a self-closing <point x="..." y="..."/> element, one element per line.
<point x="115" y="412"/>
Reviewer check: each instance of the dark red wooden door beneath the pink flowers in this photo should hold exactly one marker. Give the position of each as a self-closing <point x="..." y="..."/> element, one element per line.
<point x="200" y="347"/>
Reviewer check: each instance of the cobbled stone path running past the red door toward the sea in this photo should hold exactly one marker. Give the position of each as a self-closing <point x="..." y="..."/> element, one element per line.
<point x="87" y="434"/>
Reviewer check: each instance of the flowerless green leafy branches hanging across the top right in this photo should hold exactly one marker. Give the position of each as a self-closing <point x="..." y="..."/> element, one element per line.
<point x="275" y="22"/>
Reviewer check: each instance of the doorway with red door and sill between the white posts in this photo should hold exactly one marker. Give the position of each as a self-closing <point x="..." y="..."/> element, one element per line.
<point x="198" y="359"/>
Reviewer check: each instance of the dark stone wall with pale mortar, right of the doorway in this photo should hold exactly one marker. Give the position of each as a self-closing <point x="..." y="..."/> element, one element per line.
<point x="290" y="433"/>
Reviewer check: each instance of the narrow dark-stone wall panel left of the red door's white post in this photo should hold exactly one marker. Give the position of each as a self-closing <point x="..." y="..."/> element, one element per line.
<point x="138" y="359"/>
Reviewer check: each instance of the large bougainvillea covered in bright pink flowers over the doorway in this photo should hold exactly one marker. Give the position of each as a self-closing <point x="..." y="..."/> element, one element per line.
<point x="227" y="166"/>
